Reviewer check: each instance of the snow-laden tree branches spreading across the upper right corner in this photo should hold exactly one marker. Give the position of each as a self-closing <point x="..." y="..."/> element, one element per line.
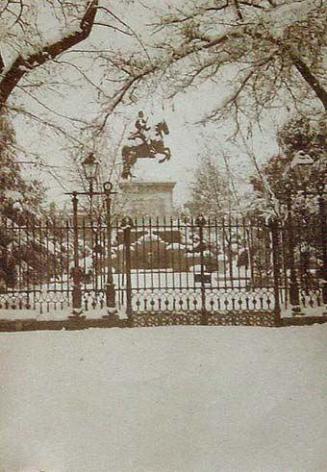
<point x="271" y="51"/>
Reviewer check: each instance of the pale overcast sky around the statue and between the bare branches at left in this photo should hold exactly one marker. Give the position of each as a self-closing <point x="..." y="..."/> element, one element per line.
<point x="187" y="140"/>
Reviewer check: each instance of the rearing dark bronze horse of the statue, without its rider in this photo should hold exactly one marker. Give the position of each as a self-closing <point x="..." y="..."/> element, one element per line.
<point x="147" y="149"/>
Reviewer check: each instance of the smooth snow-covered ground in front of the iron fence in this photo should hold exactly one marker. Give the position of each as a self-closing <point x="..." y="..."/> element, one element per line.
<point x="175" y="399"/>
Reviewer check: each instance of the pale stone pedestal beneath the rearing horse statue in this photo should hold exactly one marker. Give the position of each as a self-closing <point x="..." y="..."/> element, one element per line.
<point x="145" y="198"/>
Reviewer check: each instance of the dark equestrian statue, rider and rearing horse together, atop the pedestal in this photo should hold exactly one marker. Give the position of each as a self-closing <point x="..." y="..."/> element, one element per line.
<point x="146" y="146"/>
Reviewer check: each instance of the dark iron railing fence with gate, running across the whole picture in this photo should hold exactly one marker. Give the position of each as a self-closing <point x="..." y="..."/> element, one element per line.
<point x="201" y="271"/>
